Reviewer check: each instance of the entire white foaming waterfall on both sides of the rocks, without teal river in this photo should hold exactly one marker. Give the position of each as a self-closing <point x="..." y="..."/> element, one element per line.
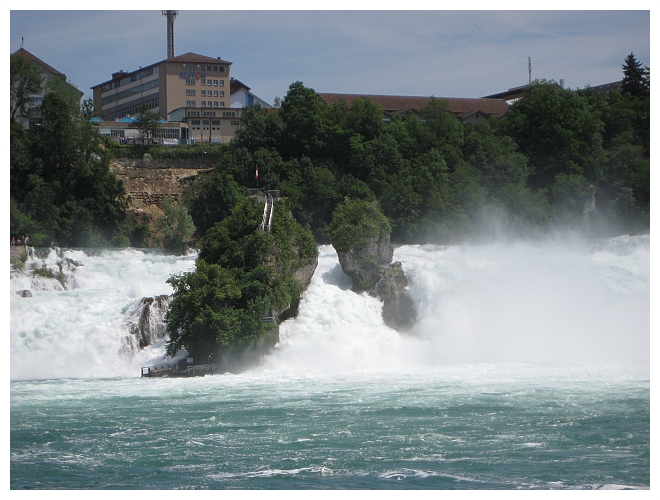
<point x="557" y="303"/>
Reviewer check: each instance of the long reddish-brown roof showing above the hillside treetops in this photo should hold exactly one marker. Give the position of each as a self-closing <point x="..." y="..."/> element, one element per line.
<point x="397" y="104"/>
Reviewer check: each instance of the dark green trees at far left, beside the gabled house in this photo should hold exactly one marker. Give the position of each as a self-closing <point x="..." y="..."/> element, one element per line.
<point x="60" y="174"/>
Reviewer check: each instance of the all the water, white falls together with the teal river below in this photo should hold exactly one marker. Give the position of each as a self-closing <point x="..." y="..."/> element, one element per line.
<point x="528" y="369"/>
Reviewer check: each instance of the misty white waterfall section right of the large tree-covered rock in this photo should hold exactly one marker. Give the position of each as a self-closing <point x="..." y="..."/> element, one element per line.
<point x="561" y="302"/>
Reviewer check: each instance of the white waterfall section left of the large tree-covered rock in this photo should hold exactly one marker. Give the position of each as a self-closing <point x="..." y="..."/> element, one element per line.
<point x="78" y="332"/>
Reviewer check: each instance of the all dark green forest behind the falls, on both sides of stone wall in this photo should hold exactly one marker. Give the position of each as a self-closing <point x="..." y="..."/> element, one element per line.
<point x="558" y="158"/>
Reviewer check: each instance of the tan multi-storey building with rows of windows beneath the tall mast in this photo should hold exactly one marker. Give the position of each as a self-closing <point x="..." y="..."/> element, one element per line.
<point x="189" y="88"/>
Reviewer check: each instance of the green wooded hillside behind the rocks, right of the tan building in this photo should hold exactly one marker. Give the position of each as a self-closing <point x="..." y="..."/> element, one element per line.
<point x="558" y="158"/>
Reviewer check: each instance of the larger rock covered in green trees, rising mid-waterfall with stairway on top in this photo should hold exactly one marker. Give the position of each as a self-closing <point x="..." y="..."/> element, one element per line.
<point x="242" y="275"/>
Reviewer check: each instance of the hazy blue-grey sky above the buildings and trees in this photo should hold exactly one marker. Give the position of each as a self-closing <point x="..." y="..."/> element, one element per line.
<point x="432" y="52"/>
